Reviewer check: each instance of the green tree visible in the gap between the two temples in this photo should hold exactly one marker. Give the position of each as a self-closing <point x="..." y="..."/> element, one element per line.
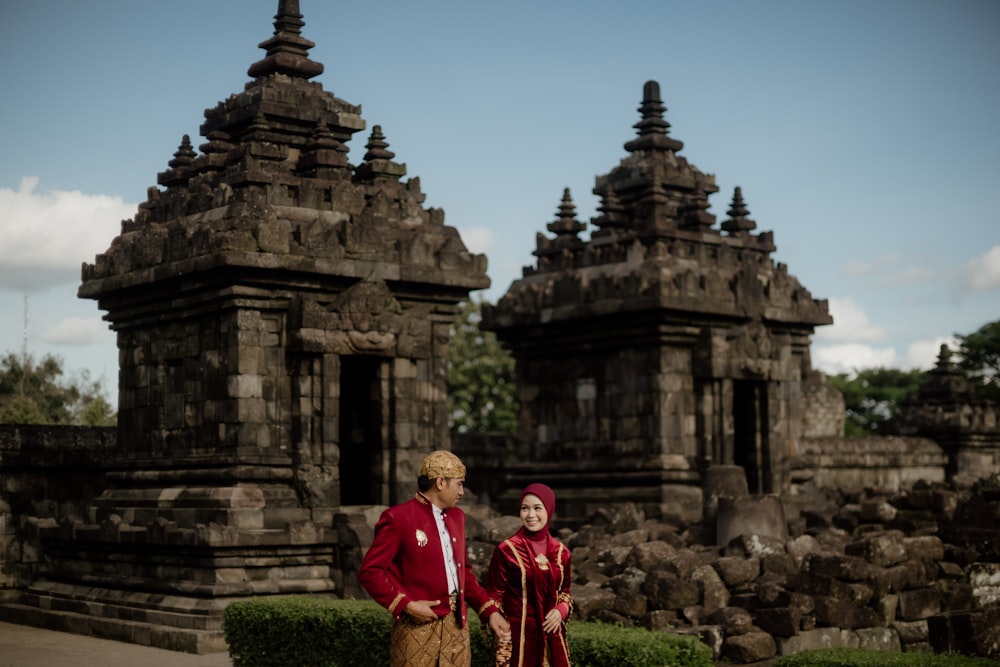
<point x="481" y="387"/>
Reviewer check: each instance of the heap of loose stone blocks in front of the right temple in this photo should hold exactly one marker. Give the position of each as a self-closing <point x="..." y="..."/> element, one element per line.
<point x="874" y="574"/>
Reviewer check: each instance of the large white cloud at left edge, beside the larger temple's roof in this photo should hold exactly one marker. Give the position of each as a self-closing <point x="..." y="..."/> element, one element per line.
<point x="46" y="236"/>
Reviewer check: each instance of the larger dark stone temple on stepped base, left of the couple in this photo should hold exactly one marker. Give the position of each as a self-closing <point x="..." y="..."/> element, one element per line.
<point x="282" y="320"/>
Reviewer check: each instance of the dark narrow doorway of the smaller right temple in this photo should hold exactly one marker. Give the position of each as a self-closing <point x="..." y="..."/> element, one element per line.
<point x="750" y="443"/>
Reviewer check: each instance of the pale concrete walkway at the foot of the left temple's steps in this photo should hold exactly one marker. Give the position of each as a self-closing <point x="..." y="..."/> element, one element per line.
<point x="26" y="646"/>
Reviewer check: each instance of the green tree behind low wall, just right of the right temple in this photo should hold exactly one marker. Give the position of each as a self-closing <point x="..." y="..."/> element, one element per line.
<point x="873" y="395"/>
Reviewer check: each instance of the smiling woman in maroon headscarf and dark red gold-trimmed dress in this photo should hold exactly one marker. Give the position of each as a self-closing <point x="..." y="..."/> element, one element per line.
<point x="529" y="576"/>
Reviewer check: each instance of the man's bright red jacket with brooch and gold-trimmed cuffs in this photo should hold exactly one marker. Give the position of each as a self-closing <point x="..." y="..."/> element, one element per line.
<point x="404" y="565"/>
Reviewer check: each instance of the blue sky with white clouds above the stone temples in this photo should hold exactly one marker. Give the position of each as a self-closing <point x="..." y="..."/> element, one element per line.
<point x="863" y="134"/>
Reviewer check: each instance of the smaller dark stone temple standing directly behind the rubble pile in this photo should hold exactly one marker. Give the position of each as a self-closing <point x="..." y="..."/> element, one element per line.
<point x="661" y="345"/>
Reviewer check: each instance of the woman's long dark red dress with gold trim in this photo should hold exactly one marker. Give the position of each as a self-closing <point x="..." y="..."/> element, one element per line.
<point x="526" y="593"/>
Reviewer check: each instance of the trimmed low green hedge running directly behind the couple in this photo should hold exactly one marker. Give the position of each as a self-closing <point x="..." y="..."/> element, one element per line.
<point x="324" y="632"/>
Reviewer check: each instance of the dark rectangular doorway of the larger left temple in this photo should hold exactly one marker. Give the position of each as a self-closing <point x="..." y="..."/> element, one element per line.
<point x="360" y="430"/>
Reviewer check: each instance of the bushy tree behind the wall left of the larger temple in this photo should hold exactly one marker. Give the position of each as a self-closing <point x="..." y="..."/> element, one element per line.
<point x="37" y="393"/>
